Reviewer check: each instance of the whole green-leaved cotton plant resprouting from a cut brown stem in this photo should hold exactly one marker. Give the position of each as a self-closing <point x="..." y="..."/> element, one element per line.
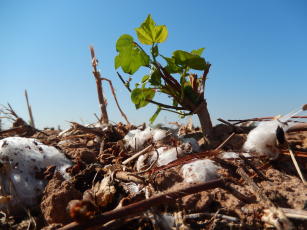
<point x="187" y="93"/>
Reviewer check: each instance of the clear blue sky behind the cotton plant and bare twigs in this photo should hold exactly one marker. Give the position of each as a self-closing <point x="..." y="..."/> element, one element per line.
<point x="258" y="52"/>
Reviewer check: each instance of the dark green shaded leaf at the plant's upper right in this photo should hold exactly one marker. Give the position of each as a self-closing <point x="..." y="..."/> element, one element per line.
<point x="187" y="59"/>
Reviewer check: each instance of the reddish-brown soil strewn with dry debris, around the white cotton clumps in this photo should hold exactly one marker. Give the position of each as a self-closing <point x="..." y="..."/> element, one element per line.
<point x="99" y="153"/>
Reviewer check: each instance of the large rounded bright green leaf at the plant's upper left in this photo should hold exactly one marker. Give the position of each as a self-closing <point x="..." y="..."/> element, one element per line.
<point x="131" y="57"/>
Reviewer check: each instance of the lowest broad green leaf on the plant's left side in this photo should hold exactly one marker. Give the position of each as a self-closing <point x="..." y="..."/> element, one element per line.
<point x="140" y="96"/>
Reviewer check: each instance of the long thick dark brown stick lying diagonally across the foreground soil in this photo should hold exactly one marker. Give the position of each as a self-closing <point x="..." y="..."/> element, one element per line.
<point x="141" y="206"/>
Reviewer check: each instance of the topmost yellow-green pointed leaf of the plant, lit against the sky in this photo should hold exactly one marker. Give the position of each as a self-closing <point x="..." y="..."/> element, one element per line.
<point x="148" y="33"/>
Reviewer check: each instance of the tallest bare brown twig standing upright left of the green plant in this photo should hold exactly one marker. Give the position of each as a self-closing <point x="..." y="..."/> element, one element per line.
<point x="102" y="102"/>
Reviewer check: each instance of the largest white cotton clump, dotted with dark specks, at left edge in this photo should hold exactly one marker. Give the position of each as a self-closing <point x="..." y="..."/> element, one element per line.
<point x="23" y="161"/>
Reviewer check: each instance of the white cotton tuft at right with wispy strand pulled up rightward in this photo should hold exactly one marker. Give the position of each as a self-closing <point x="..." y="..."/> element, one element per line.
<point x="262" y="139"/>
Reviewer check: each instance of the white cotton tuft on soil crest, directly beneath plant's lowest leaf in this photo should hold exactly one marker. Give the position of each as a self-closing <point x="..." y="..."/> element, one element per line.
<point x="136" y="138"/>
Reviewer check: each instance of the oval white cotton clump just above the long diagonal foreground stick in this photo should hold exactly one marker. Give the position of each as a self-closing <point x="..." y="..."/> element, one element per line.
<point x="199" y="171"/>
